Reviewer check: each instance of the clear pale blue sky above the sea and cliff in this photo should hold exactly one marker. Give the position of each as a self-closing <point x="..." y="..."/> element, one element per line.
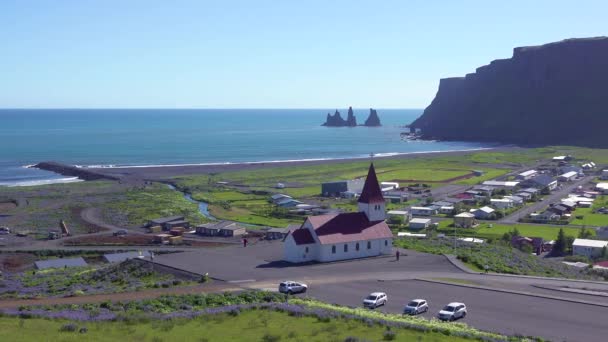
<point x="264" y="54"/>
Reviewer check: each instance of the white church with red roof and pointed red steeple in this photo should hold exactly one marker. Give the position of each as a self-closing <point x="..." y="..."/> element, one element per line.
<point x="344" y="236"/>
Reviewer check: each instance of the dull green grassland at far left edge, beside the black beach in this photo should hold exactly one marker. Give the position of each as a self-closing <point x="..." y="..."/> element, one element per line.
<point x="40" y="208"/>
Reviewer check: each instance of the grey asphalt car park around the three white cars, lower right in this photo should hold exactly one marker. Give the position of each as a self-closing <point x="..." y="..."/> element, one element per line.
<point x="487" y="310"/>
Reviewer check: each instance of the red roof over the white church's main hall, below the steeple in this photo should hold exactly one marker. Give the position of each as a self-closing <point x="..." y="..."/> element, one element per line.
<point x="348" y="227"/>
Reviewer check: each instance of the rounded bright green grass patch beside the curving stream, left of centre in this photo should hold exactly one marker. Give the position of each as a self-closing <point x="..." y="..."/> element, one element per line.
<point x="139" y="205"/>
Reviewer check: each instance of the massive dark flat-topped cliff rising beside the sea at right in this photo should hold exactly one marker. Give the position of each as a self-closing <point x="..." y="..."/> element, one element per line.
<point x="550" y="94"/>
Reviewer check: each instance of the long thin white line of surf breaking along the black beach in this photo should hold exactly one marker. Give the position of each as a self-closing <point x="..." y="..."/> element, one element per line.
<point x="375" y="155"/>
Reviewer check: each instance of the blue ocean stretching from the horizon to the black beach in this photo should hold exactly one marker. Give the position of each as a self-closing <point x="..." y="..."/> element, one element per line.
<point x="118" y="137"/>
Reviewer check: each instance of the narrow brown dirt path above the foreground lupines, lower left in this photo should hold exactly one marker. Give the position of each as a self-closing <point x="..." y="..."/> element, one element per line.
<point x="215" y="286"/>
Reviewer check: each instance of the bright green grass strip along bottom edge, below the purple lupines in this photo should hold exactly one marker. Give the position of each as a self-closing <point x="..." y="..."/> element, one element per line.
<point x="252" y="325"/>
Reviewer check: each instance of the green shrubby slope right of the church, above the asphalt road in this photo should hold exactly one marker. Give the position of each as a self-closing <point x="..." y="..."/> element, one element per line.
<point x="499" y="258"/>
